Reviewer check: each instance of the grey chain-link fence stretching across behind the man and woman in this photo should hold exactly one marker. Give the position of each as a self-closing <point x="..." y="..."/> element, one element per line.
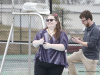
<point x="16" y="62"/>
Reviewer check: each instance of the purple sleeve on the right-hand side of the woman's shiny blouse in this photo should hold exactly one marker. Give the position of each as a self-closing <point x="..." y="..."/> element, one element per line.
<point x="64" y="39"/>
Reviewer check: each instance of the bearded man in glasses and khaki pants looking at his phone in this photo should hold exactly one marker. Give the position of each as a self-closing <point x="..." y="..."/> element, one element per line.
<point x="89" y="54"/>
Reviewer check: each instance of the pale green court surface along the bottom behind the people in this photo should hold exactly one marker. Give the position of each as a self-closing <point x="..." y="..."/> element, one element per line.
<point x="18" y="65"/>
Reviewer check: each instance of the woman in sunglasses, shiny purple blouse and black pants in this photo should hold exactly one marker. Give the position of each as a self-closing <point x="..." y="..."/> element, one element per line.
<point x="52" y="41"/>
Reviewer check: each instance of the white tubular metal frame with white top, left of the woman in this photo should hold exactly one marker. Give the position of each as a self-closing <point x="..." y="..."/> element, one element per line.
<point x="30" y="13"/>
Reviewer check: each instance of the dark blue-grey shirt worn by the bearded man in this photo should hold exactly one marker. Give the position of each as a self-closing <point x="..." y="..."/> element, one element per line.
<point x="92" y="36"/>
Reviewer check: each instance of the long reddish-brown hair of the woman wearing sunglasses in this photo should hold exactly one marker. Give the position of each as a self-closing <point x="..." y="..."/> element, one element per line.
<point x="58" y="26"/>
